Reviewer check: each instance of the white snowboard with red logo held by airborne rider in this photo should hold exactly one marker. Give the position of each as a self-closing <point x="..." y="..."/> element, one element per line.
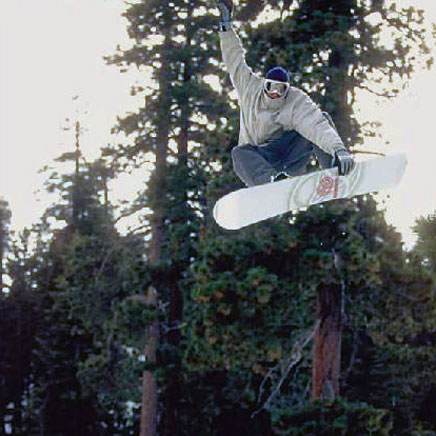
<point x="250" y="205"/>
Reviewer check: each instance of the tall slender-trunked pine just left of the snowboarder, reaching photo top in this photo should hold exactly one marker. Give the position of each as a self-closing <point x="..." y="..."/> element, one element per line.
<point x="171" y="127"/>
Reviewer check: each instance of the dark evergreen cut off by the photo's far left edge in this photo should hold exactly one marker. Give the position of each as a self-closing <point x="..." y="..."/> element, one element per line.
<point x="19" y="316"/>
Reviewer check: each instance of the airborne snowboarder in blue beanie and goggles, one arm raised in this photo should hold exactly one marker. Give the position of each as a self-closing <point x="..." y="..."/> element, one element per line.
<point x="281" y="128"/>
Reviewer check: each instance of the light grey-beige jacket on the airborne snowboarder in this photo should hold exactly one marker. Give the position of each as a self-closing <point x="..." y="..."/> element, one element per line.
<point x="263" y="118"/>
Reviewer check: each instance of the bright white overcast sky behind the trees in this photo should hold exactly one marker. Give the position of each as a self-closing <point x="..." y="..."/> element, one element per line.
<point x="52" y="50"/>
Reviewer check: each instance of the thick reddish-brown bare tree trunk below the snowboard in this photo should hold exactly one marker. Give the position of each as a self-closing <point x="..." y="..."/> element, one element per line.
<point x="327" y="344"/>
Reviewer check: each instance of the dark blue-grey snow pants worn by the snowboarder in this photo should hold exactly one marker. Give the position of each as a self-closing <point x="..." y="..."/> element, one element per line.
<point x="289" y="153"/>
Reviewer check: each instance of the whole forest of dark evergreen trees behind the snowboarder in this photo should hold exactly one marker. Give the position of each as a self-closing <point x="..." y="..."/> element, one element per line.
<point x="178" y="327"/>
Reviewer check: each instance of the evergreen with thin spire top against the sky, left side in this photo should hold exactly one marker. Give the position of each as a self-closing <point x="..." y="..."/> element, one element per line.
<point x="64" y="340"/>
